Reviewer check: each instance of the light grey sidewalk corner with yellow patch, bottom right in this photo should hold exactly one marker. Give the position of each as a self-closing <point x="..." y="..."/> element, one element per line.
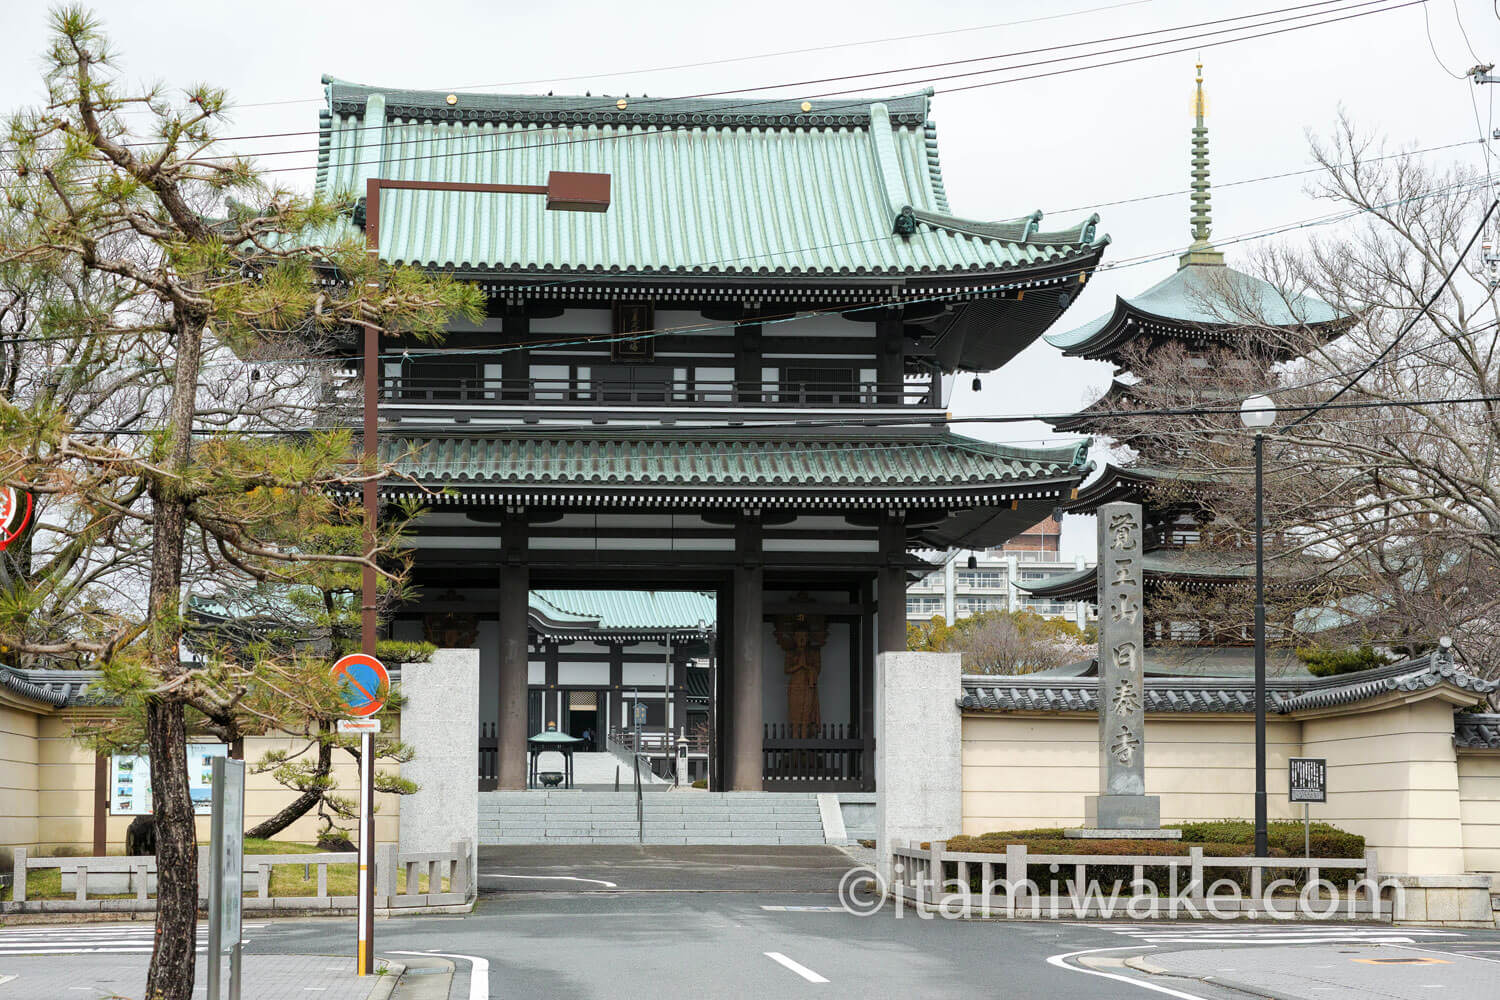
<point x="1336" y="972"/>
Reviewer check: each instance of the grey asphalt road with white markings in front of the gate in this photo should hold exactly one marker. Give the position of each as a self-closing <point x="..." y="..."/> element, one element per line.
<point x="724" y="923"/>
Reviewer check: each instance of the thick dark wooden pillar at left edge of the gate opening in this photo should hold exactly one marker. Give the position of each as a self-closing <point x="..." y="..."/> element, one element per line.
<point x="515" y="585"/>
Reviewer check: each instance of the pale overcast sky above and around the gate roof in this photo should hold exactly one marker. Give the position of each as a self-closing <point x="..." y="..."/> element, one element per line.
<point x="1060" y="145"/>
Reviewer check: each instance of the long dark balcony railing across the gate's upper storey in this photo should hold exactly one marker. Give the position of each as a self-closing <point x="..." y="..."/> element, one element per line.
<point x="595" y="392"/>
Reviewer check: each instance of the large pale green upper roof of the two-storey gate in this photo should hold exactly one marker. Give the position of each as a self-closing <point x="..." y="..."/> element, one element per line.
<point x="700" y="187"/>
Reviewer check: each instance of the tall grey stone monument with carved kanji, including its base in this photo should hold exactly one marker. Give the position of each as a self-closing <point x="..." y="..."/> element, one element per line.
<point x="1123" y="803"/>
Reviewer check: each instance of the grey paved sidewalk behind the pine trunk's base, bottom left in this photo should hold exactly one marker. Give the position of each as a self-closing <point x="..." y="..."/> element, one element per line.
<point x="263" y="978"/>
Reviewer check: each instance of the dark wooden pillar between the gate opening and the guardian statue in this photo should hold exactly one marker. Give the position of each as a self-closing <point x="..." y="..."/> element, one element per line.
<point x="746" y="767"/>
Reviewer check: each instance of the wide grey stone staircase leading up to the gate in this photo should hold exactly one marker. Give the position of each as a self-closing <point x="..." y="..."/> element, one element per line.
<point x="671" y="818"/>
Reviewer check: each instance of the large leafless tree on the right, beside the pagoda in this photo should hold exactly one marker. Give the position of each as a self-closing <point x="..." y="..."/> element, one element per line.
<point x="1384" y="507"/>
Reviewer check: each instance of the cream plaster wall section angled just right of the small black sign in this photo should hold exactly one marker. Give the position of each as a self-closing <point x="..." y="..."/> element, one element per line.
<point x="1393" y="777"/>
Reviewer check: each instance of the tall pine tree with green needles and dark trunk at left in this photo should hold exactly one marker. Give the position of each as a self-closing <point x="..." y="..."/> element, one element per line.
<point x="187" y="262"/>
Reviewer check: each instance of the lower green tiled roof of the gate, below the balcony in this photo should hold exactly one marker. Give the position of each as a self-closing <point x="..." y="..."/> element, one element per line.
<point x="926" y="461"/>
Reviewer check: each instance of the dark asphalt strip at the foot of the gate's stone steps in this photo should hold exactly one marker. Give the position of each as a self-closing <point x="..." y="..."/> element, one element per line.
<point x="683" y="869"/>
